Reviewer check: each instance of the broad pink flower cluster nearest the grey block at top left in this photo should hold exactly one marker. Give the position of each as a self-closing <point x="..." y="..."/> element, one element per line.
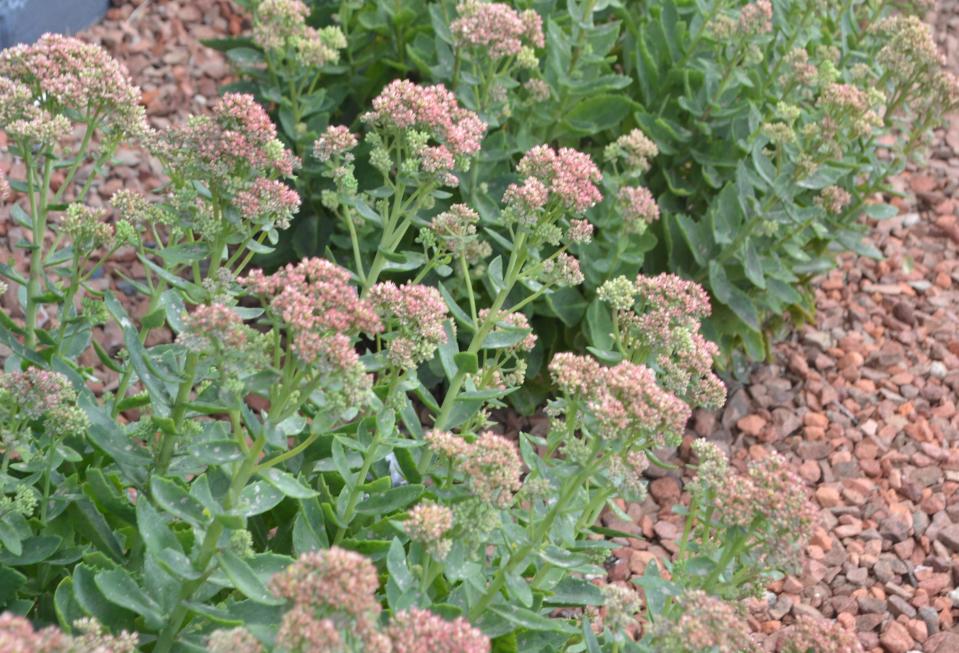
<point x="68" y="74"/>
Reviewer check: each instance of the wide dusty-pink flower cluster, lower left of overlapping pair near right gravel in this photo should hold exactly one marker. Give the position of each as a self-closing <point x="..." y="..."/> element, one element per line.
<point x="624" y="399"/>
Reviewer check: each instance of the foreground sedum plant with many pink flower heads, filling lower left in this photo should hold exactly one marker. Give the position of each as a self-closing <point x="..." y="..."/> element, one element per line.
<point x="304" y="458"/>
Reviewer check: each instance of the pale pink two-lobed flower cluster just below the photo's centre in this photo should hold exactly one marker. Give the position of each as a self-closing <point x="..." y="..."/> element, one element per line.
<point x="491" y="463"/>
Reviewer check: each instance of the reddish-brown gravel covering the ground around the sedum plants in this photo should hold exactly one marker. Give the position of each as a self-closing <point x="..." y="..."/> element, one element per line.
<point x="862" y="403"/>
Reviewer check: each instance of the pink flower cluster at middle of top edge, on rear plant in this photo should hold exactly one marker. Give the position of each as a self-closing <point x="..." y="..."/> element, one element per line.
<point x="497" y="28"/>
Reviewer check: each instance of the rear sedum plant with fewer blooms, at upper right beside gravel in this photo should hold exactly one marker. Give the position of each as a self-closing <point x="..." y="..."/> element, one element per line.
<point x="743" y="143"/>
